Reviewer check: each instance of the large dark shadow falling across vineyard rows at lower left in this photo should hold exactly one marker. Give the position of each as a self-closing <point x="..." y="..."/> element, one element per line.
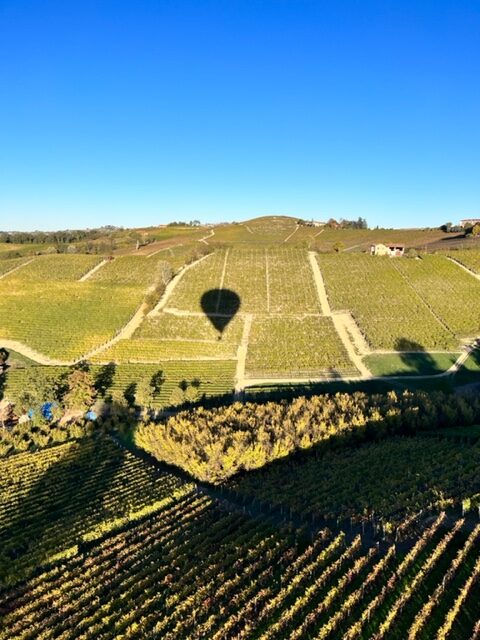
<point x="61" y="504"/>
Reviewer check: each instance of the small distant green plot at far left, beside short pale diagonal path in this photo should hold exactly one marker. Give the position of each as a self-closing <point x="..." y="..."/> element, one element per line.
<point x="69" y="268"/>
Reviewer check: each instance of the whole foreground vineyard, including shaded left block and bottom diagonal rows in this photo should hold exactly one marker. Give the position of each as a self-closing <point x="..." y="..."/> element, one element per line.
<point x="122" y="549"/>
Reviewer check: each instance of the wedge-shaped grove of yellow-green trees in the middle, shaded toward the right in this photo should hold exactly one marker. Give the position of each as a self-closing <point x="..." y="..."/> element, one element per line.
<point x="214" y="444"/>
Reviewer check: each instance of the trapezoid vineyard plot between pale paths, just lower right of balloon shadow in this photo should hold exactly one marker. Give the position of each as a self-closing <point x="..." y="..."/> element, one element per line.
<point x="296" y="346"/>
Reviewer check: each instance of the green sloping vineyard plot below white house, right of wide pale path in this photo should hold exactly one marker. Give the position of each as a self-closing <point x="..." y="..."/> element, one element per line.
<point x="386" y="308"/>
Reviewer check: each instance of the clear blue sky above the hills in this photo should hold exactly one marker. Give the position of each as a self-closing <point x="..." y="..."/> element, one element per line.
<point x="143" y="112"/>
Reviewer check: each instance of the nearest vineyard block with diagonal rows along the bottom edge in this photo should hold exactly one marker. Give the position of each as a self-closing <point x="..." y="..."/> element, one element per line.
<point x="196" y="571"/>
